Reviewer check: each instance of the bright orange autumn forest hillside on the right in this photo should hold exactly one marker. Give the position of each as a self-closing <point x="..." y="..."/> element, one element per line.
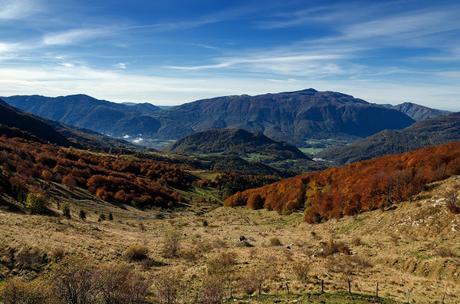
<point x="358" y="187"/>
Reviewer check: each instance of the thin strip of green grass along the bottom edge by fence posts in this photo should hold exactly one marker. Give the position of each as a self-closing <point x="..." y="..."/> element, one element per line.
<point x="313" y="298"/>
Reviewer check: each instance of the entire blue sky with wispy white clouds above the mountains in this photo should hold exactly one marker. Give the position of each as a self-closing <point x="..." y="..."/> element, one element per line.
<point x="170" y="52"/>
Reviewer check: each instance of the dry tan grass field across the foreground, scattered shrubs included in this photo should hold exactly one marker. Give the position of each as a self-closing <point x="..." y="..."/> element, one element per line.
<point x="412" y="251"/>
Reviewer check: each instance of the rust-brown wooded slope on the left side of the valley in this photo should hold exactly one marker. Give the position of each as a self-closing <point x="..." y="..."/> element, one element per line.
<point x="141" y="182"/>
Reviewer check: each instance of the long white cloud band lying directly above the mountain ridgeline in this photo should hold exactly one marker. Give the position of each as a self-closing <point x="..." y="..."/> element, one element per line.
<point x="116" y="86"/>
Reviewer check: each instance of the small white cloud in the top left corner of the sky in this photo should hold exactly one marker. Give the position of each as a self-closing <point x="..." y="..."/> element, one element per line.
<point x="18" y="9"/>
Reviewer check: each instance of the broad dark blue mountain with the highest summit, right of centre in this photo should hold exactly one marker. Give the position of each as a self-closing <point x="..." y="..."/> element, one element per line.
<point x="290" y="116"/>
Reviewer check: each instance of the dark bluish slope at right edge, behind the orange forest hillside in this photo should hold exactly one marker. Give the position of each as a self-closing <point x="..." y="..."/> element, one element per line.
<point x="434" y="131"/>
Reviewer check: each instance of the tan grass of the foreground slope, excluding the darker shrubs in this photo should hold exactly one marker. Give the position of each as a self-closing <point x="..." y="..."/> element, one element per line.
<point x="400" y="247"/>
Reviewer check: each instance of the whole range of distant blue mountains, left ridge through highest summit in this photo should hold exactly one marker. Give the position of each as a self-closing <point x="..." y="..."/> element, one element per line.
<point x="291" y="116"/>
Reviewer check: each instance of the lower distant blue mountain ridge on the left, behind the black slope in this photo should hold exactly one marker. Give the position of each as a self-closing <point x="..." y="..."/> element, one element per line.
<point x="83" y="111"/>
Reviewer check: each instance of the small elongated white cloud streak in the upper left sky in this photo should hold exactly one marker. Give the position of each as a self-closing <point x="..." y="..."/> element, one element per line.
<point x="75" y="36"/>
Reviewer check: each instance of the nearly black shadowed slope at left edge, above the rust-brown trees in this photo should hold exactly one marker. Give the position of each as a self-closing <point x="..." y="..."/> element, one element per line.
<point x="15" y="123"/>
